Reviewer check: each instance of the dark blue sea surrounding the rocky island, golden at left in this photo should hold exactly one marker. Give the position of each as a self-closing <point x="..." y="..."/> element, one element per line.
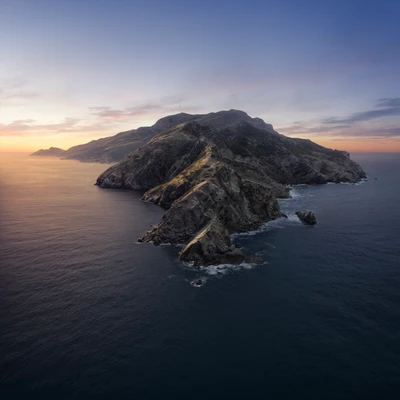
<point x="85" y="313"/>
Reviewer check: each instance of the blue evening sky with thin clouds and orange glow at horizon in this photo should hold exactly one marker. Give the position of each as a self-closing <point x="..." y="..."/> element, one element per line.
<point x="77" y="70"/>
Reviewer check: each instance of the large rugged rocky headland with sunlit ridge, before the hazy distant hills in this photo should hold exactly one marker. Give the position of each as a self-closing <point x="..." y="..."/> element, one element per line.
<point x="218" y="174"/>
